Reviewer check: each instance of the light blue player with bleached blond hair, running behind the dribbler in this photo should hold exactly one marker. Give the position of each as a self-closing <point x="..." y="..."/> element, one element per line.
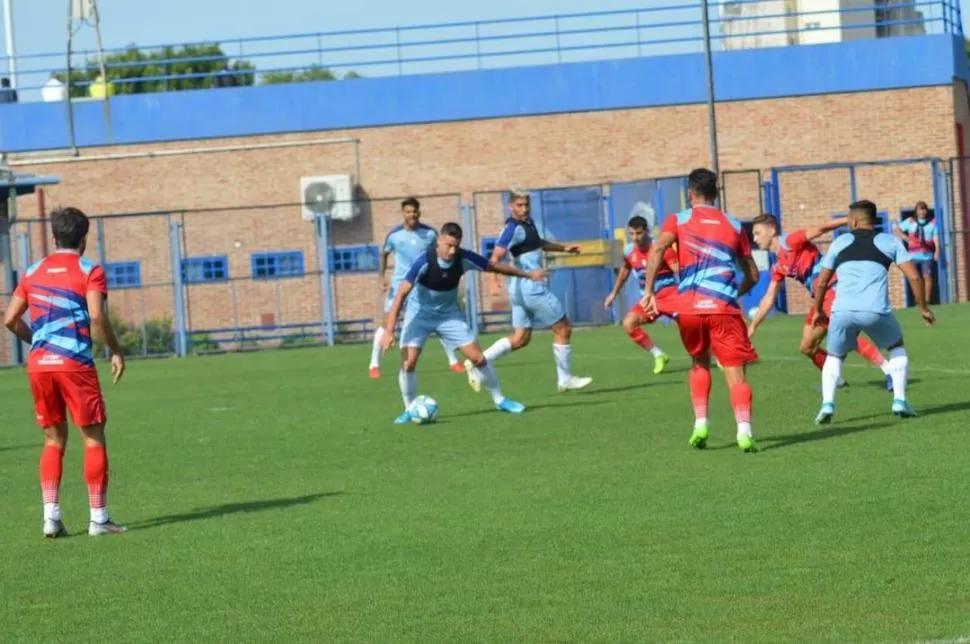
<point x="533" y="304"/>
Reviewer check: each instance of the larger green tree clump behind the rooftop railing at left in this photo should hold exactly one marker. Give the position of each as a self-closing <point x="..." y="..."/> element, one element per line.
<point x="167" y="62"/>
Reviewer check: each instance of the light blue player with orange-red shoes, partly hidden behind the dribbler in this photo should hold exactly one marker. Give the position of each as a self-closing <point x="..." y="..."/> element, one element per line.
<point x="406" y="242"/>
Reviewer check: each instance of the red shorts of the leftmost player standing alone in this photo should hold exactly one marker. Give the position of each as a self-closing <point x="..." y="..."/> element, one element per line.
<point x="57" y="392"/>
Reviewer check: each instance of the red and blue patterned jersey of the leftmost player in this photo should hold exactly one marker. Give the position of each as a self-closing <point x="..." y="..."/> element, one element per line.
<point x="55" y="290"/>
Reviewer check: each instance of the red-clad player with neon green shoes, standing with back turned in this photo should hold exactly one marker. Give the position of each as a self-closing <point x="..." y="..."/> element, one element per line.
<point x="711" y="246"/>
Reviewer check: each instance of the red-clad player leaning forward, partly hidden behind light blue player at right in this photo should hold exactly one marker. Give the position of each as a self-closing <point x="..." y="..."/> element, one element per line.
<point x="800" y="259"/>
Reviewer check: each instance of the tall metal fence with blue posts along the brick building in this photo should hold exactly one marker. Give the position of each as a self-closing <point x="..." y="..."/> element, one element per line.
<point x="264" y="277"/>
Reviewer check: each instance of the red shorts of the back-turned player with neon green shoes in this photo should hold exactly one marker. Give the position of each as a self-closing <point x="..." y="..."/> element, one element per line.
<point x="725" y="335"/>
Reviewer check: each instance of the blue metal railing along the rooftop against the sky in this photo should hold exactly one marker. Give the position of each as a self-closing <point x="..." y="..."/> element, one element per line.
<point x="672" y="28"/>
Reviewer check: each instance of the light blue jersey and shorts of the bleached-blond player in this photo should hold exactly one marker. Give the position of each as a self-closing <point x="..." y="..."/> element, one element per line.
<point x="533" y="304"/>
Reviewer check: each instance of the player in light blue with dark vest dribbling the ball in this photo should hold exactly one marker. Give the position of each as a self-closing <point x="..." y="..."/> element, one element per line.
<point x="433" y="279"/>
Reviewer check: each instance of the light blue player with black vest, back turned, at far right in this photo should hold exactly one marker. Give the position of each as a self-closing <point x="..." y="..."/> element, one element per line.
<point x="861" y="259"/>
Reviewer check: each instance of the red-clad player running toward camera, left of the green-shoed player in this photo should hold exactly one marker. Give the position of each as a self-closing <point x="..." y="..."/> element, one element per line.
<point x="635" y="261"/>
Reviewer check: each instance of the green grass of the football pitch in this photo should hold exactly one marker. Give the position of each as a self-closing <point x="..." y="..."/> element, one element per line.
<point x="270" y="498"/>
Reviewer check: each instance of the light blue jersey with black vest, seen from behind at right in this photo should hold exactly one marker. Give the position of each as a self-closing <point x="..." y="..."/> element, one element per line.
<point x="861" y="260"/>
